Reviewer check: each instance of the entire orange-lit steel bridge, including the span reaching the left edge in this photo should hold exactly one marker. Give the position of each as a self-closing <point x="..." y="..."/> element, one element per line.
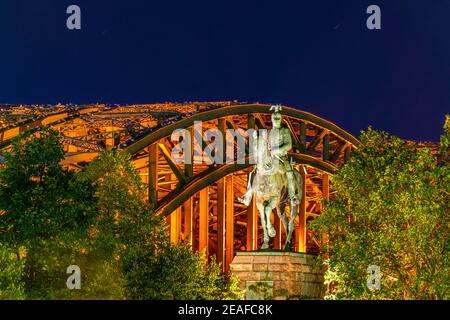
<point x="199" y="200"/>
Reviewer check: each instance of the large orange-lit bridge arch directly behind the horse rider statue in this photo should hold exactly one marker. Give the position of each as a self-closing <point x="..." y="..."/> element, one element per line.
<point x="199" y="201"/>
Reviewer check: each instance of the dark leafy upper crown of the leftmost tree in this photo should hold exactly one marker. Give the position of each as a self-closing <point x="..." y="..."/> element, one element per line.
<point x="40" y="199"/>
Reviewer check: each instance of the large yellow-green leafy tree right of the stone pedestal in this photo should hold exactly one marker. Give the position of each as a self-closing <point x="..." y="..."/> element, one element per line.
<point x="391" y="210"/>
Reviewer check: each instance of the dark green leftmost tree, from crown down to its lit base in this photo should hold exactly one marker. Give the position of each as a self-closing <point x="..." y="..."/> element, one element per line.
<point x="45" y="210"/>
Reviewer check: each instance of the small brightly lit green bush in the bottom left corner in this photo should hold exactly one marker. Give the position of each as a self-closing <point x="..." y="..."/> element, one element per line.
<point x="12" y="269"/>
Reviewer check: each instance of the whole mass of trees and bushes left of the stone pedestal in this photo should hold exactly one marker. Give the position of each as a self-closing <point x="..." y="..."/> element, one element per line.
<point x="96" y="219"/>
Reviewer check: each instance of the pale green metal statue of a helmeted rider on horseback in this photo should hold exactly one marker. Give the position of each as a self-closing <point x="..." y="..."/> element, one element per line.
<point x="274" y="182"/>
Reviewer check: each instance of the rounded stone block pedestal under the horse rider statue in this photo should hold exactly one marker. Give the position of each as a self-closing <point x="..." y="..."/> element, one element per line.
<point x="278" y="275"/>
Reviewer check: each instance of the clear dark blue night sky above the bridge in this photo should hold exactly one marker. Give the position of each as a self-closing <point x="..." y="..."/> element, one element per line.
<point x="315" y="55"/>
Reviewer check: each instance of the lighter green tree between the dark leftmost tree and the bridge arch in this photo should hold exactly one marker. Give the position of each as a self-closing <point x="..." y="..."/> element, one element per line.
<point x="125" y="222"/>
